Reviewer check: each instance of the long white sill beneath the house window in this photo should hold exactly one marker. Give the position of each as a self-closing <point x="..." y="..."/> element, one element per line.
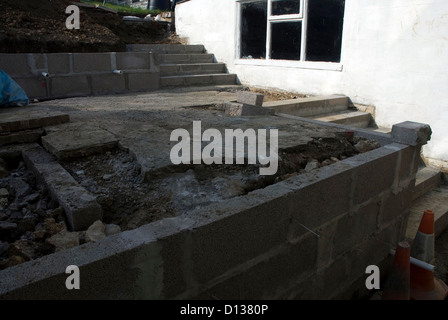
<point x="330" y="66"/>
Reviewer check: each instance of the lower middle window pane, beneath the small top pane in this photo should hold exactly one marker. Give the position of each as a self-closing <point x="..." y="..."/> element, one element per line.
<point x="286" y="40"/>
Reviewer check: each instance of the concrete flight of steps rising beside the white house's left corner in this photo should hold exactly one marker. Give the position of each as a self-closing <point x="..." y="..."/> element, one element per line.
<point x="187" y="65"/>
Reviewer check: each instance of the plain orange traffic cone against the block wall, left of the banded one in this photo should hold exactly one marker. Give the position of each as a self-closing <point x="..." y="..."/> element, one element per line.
<point x="396" y="286"/>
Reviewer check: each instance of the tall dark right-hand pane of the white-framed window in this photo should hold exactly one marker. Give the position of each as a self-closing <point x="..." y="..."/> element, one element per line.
<point x="324" y="30"/>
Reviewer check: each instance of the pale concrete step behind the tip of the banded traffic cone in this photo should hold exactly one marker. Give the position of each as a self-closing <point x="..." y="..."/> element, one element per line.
<point x="435" y="200"/>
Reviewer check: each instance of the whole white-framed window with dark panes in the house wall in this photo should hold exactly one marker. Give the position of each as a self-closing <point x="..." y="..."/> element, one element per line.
<point x="297" y="30"/>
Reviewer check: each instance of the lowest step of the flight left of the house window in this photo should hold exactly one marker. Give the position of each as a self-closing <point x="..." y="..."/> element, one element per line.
<point x="198" y="80"/>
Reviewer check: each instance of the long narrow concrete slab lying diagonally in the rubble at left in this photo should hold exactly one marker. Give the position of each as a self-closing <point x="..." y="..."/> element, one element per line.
<point x="81" y="208"/>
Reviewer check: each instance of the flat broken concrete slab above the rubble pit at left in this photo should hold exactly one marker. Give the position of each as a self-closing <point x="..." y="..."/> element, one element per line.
<point x="66" y="144"/>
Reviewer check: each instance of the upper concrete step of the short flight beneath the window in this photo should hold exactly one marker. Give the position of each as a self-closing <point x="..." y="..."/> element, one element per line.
<point x="308" y="107"/>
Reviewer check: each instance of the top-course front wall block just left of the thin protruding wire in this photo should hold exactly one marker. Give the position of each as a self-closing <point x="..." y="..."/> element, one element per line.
<point x="228" y="242"/>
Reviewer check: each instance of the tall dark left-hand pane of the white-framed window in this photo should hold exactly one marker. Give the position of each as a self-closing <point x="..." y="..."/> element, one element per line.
<point x="253" y="30"/>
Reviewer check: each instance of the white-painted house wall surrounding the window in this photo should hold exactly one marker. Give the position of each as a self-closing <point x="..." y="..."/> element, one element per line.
<point x="393" y="57"/>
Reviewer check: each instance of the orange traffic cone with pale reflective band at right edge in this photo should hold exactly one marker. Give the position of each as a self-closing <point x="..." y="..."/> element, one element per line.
<point x="424" y="286"/>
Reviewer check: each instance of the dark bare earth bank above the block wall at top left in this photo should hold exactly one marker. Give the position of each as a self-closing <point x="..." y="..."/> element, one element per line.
<point x="39" y="26"/>
